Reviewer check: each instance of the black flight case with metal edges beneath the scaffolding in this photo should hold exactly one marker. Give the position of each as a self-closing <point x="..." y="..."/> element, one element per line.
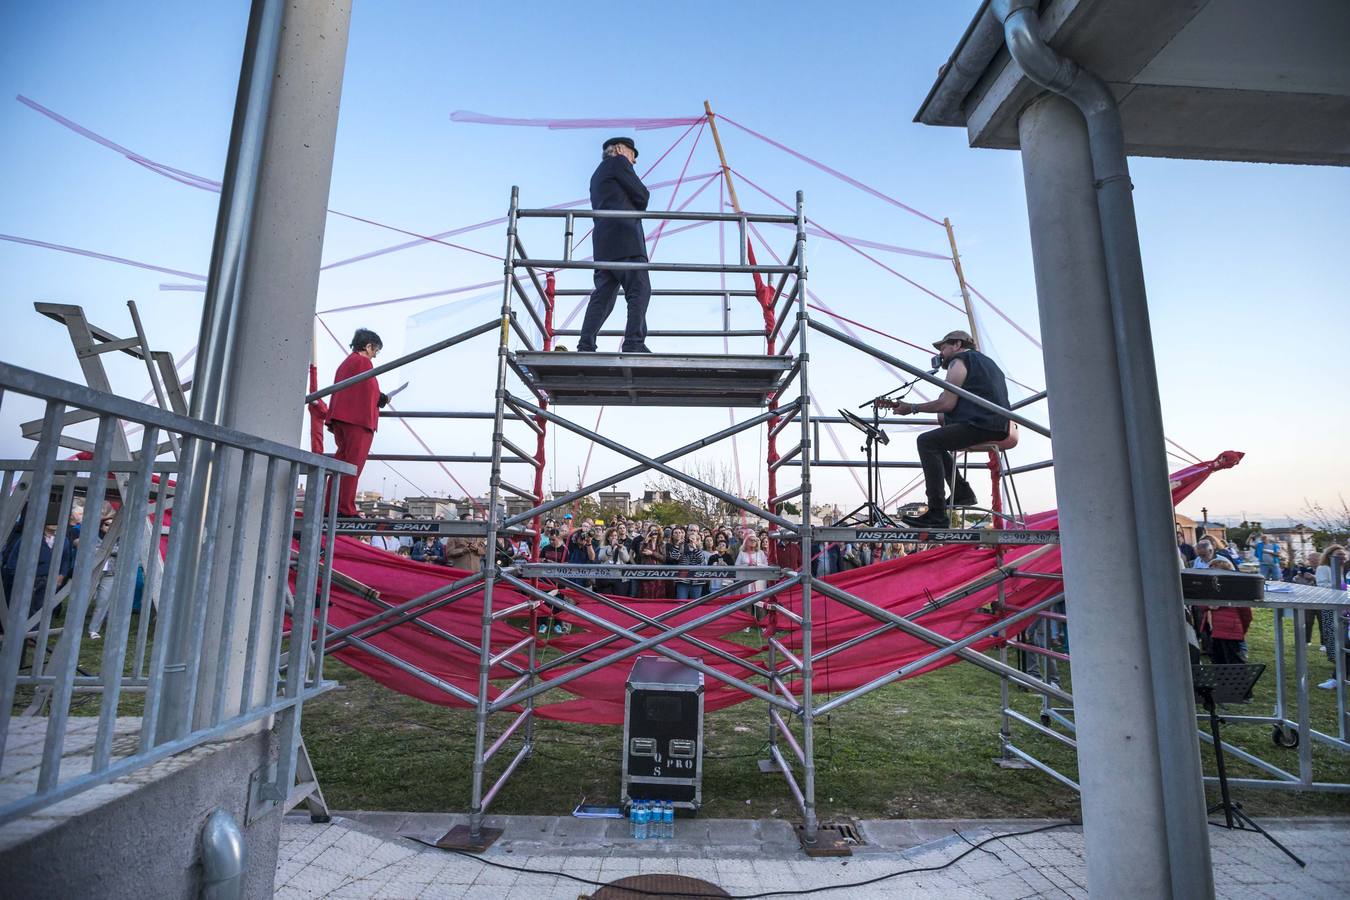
<point x="664" y="733"/>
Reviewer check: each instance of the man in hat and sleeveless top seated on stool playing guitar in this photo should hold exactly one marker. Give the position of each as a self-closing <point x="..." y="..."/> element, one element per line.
<point x="965" y="424"/>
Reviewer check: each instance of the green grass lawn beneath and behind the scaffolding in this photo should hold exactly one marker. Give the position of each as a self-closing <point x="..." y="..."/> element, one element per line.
<point x="923" y="748"/>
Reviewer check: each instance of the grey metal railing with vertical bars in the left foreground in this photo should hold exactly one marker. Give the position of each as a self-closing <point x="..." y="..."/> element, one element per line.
<point x="76" y="714"/>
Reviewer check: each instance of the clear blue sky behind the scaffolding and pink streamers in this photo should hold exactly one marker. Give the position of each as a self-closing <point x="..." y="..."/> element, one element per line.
<point x="1247" y="264"/>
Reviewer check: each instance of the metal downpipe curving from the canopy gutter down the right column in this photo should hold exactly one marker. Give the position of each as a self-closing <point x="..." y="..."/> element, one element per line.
<point x="1183" y="790"/>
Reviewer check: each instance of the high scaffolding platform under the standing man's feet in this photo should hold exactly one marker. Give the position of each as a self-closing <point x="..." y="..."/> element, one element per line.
<point x="631" y="380"/>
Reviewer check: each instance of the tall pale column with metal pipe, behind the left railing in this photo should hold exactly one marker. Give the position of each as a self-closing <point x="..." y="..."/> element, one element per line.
<point x="259" y="316"/>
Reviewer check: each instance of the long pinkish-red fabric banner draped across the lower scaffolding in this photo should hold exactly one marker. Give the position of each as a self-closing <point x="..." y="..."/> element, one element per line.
<point x="905" y="588"/>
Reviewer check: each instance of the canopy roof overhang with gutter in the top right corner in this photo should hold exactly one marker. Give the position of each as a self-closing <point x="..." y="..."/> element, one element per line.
<point x="1239" y="80"/>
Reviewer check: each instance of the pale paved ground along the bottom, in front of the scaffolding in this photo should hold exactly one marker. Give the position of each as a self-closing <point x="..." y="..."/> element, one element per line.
<point x="350" y="857"/>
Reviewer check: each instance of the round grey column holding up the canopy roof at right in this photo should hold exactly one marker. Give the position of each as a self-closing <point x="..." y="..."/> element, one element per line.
<point x="1118" y="704"/>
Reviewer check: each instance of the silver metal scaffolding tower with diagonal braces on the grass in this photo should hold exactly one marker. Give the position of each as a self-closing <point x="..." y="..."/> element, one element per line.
<point x="537" y="384"/>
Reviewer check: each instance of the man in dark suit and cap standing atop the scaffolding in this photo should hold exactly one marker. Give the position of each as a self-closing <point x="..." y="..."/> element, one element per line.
<point x="616" y="187"/>
